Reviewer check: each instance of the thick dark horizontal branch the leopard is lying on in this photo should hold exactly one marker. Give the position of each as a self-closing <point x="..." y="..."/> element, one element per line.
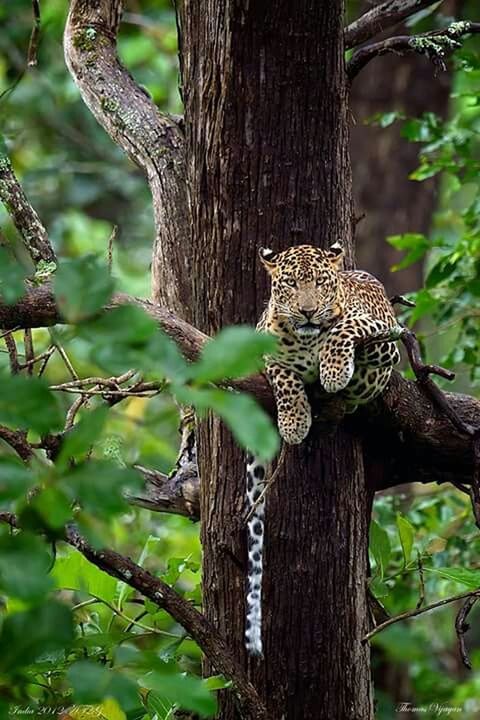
<point x="403" y="429"/>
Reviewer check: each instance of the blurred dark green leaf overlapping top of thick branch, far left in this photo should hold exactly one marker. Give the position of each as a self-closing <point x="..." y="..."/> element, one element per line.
<point x="82" y="287"/>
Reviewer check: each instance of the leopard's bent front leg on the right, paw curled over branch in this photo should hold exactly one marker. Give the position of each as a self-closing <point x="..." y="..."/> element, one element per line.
<point x="337" y="353"/>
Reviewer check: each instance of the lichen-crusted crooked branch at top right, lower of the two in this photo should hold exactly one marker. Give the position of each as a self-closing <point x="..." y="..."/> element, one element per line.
<point x="435" y="45"/>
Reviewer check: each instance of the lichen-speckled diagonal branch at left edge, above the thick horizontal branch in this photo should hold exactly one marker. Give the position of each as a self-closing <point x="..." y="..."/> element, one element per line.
<point x="24" y="217"/>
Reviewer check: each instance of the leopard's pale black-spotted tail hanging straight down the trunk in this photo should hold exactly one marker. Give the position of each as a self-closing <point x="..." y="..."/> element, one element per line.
<point x="255" y="484"/>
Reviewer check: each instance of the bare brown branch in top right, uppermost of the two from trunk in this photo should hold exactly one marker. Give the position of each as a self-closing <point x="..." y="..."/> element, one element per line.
<point x="381" y="17"/>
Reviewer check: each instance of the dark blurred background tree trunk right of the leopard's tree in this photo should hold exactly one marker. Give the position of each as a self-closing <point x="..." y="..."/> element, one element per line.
<point x="382" y="159"/>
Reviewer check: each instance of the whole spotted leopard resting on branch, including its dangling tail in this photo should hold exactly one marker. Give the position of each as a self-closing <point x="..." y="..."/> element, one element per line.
<point x="334" y="327"/>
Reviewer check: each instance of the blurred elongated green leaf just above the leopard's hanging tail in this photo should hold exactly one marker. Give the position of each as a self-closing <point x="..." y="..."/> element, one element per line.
<point x="249" y="423"/>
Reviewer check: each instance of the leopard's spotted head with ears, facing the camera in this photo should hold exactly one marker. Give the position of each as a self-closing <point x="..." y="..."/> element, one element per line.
<point x="305" y="285"/>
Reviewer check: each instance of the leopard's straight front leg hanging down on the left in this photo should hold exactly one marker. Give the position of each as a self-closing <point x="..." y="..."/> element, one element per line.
<point x="293" y="408"/>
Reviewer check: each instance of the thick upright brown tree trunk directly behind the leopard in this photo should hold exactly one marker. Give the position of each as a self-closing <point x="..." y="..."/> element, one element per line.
<point x="266" y="124"/>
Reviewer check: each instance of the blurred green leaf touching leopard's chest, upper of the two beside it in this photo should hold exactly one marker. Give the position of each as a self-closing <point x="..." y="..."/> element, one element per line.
<point x="235" y="352"/>
